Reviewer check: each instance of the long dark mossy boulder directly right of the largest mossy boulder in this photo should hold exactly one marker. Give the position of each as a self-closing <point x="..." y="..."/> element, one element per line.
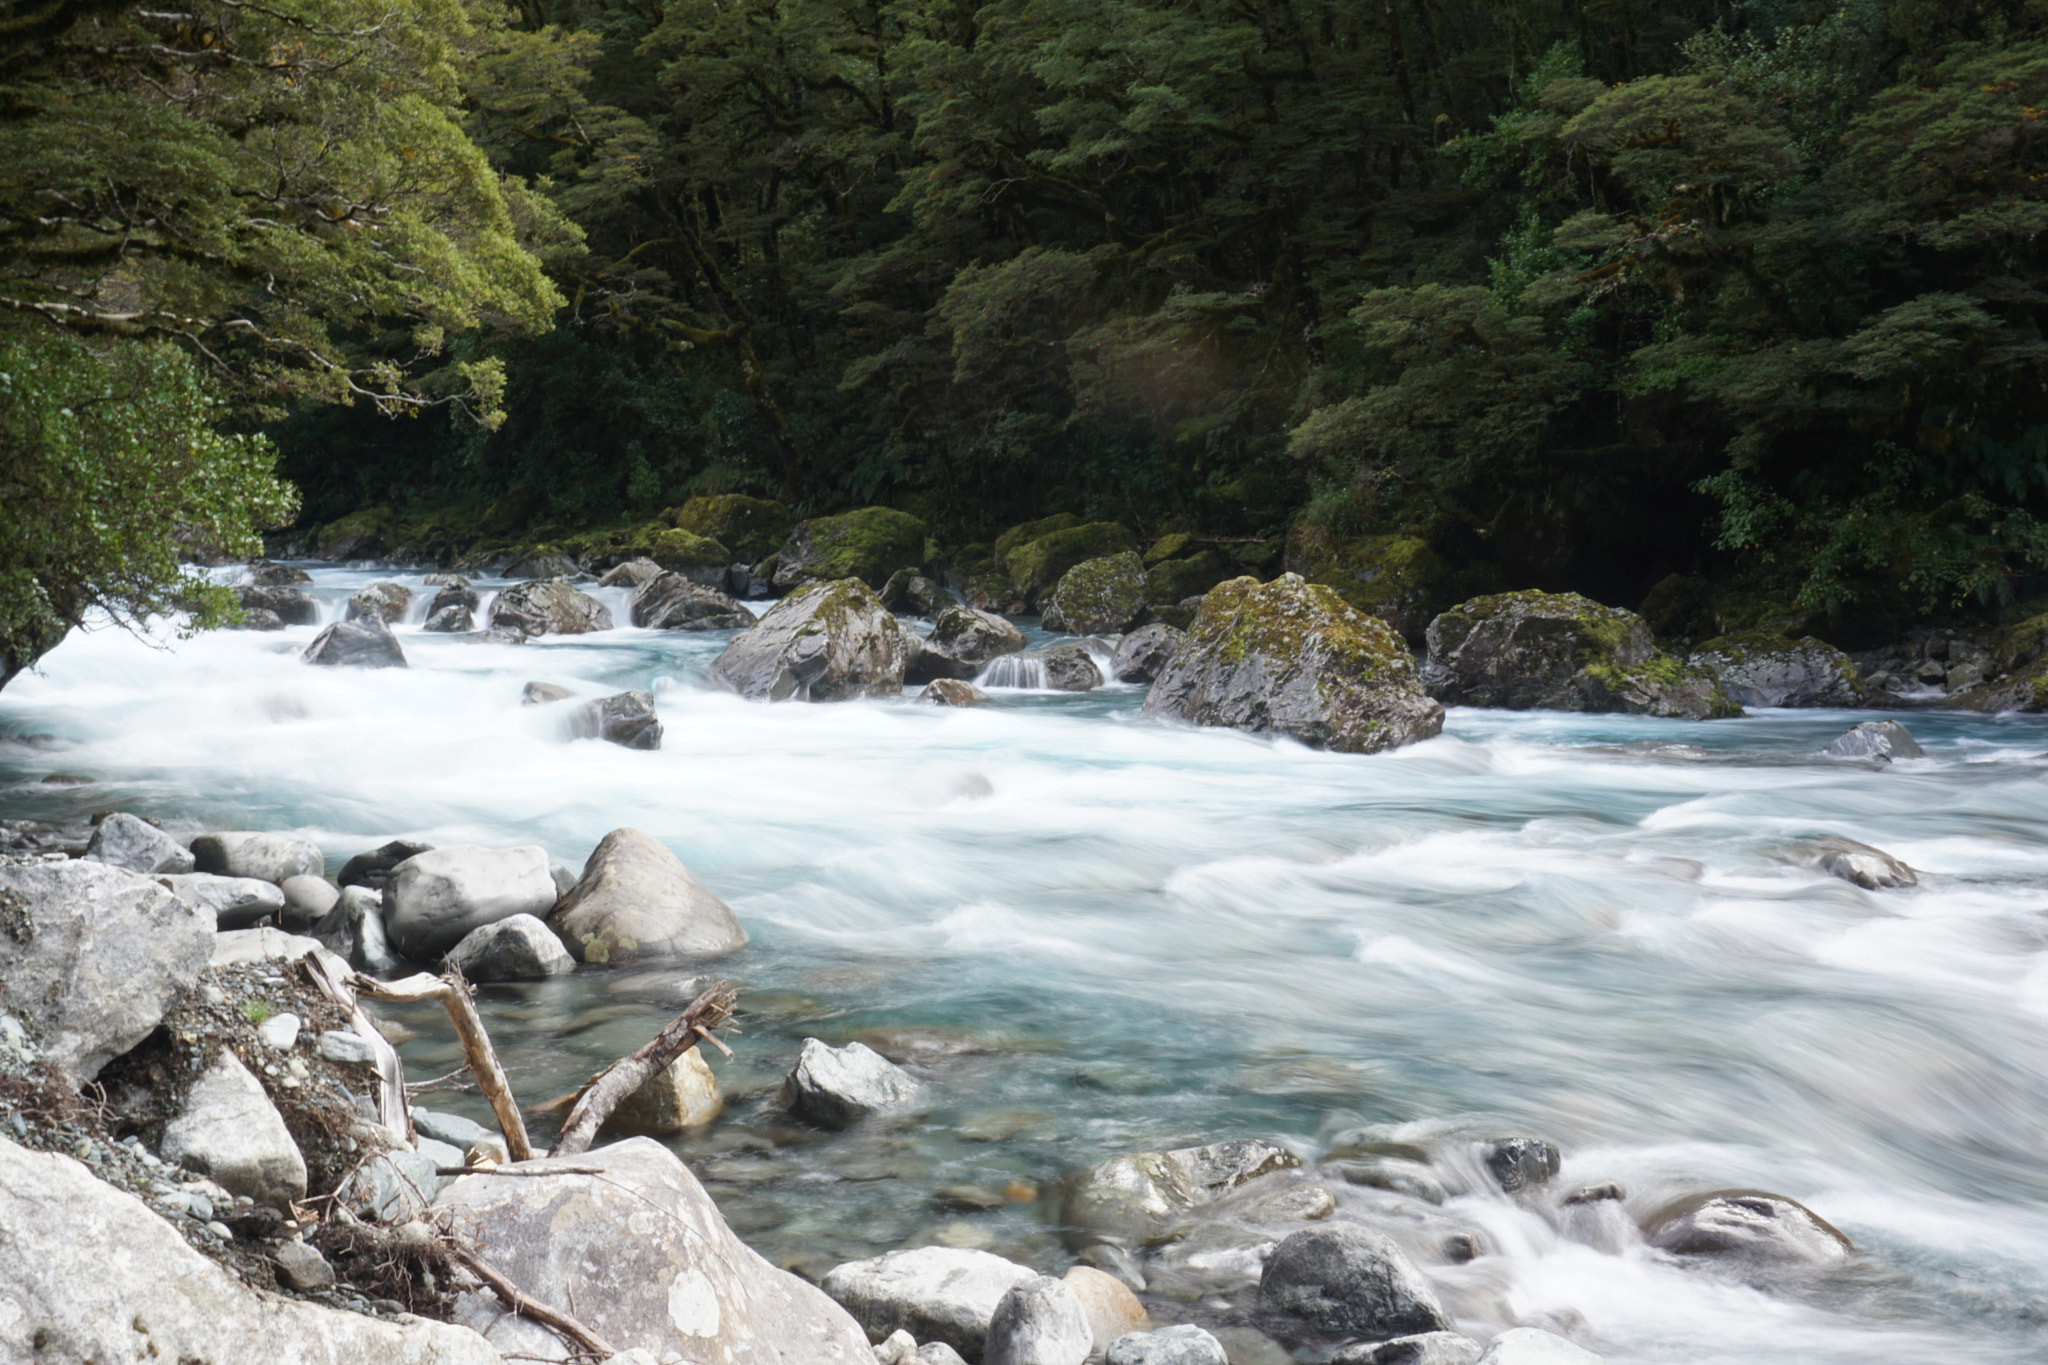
<point x="1562" y="652"/>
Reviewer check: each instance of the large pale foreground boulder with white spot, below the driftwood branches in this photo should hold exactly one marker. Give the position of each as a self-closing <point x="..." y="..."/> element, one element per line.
<point x="628" y="1239"/>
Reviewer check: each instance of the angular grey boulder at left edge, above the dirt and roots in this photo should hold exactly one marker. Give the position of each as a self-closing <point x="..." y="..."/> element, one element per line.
<point x="93" y="957"/>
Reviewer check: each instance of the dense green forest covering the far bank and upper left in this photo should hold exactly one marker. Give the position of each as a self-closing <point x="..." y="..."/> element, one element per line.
<point x="1721" y="310"/>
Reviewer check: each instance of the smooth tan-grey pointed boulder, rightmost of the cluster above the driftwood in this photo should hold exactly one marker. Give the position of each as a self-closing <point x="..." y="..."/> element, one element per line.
<point x="638" y="904"/>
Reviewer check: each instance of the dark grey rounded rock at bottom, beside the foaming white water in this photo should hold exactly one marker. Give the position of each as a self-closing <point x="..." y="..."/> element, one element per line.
<point x="1347" y="1280"/>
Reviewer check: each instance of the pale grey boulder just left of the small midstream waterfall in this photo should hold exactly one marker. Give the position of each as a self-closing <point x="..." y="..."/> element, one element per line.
<point x="822" y="644"/>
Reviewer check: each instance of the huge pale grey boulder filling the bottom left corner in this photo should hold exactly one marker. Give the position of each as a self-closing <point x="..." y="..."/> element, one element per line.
<point x="97" y="1276"/>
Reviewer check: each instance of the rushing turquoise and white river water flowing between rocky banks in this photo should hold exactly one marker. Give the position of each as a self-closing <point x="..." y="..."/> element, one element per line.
<point x="1125" y="934"/>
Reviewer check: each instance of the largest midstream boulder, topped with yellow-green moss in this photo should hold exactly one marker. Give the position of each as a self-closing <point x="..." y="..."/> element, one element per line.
<point x="1297" y="660"/>
